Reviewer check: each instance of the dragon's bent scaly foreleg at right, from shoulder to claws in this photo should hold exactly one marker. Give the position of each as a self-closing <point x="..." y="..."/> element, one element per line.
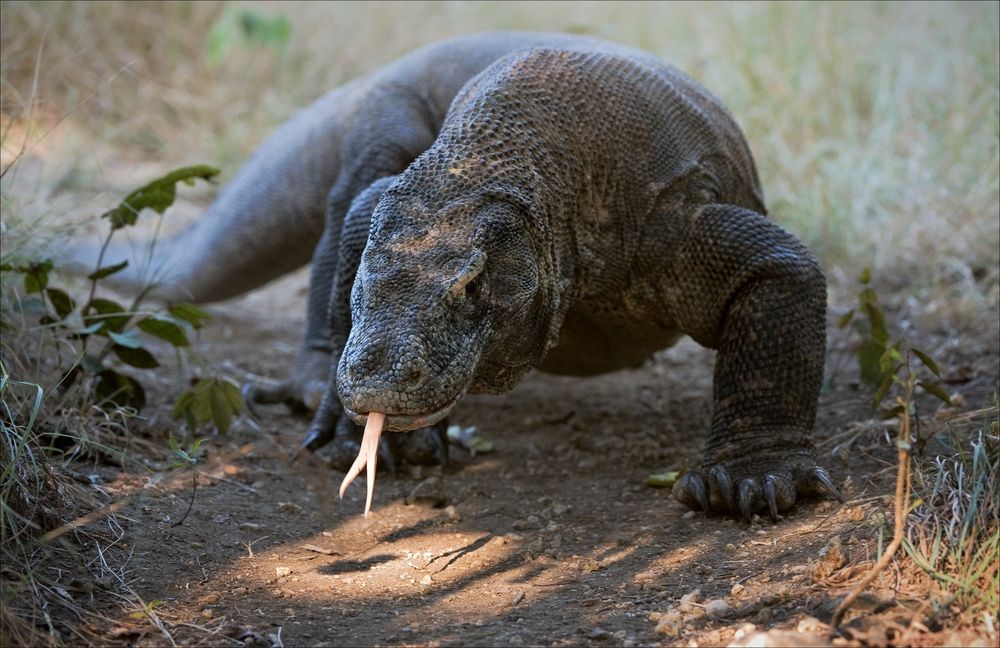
<point x="740" y="284"/>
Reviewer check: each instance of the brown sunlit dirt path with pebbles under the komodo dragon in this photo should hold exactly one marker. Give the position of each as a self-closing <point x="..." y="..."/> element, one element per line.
<point x="552" y="539"/>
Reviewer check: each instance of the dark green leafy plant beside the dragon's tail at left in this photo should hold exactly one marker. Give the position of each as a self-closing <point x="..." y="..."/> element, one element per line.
<point x="108" y="334"/>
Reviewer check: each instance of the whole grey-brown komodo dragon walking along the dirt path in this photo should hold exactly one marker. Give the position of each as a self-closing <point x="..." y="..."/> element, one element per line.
<point x="509" y="201"/>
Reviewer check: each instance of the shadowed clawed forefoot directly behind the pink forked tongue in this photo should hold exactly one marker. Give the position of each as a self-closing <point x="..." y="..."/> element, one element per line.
<point x="423" y="447"/>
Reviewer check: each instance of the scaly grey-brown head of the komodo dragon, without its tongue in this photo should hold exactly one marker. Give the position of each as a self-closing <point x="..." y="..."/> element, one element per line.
<point x="453" y="295"/>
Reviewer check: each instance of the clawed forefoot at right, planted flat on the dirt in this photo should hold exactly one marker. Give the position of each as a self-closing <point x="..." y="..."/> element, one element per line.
<point x="749" y="487"/>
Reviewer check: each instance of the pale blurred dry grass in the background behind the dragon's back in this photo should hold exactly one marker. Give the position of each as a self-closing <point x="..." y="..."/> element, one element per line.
<point x="875" y="126"/>
